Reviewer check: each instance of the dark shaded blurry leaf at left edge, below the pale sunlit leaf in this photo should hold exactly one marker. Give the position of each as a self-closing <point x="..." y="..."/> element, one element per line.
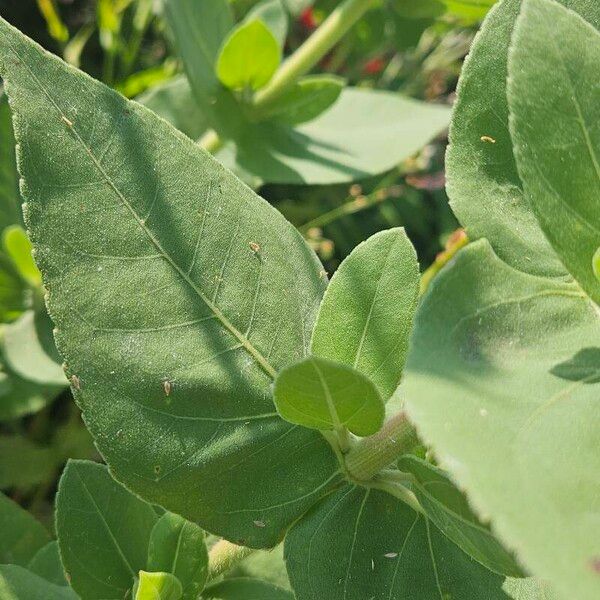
<point x="24" y="463"/>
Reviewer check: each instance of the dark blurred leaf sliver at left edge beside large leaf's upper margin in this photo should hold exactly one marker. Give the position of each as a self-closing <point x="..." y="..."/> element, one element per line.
<point x="10" y="201"/>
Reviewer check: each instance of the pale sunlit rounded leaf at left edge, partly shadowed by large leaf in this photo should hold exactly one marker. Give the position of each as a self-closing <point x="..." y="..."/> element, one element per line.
<point x="29" y="349"/>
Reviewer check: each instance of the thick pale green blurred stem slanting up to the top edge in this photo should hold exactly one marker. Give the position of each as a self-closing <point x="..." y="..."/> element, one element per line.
<point x="329" y="33"/>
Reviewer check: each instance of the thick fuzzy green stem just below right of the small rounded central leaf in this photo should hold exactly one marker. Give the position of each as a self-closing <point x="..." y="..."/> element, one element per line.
<point x="372" y="454"/>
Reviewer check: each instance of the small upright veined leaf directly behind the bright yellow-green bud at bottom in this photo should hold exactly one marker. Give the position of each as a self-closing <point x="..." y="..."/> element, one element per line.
<point x="177" y="546"/>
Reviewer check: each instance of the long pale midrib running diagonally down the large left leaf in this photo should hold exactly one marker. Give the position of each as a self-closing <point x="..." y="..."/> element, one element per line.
<point x="259" y="358"/>
